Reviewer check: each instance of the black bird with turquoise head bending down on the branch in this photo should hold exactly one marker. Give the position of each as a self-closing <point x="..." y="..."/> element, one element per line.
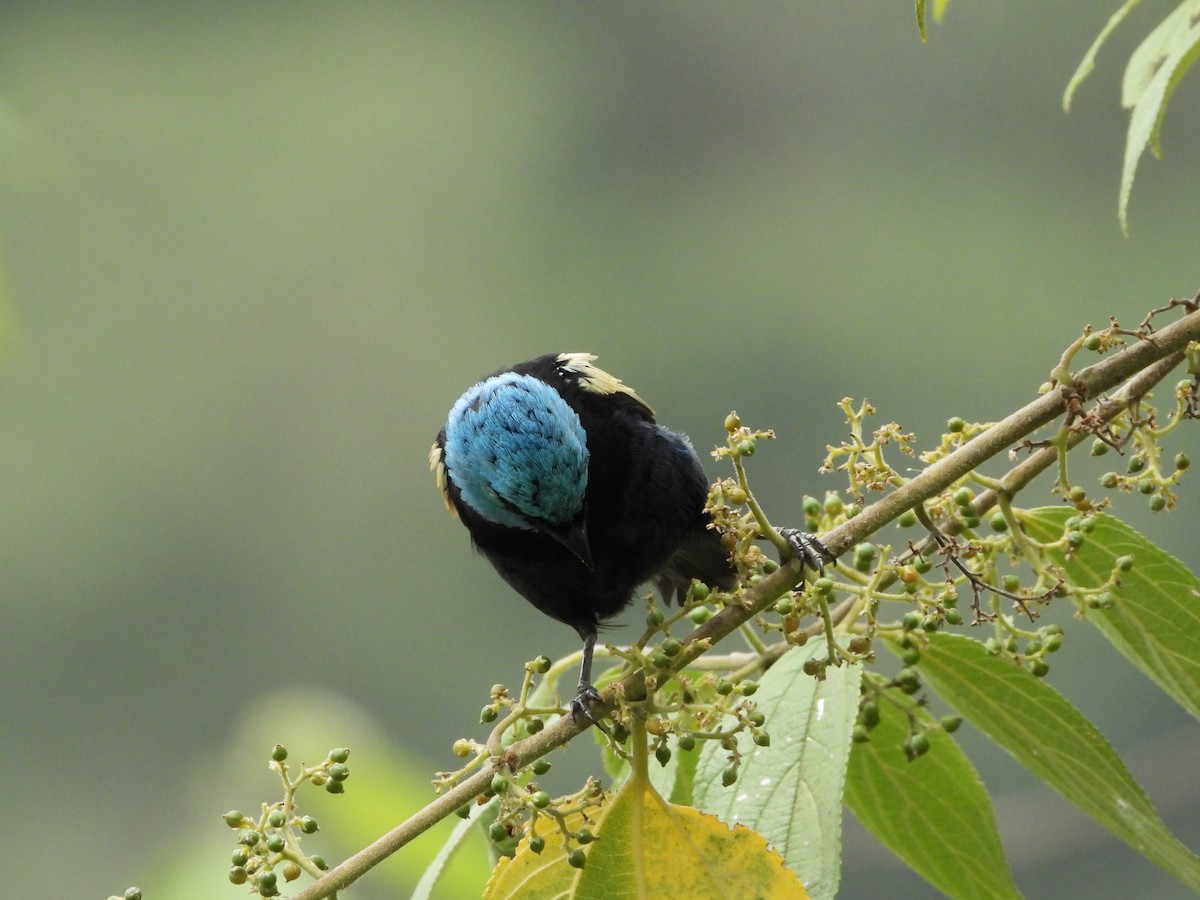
<point x="574" y="493"/>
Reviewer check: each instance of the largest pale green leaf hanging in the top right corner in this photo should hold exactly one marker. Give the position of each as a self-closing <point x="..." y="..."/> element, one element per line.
<point x="1154" y="73"/>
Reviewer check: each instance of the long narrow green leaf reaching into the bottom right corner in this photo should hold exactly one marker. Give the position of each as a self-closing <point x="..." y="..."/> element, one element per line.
<point x="1047" y="735"/>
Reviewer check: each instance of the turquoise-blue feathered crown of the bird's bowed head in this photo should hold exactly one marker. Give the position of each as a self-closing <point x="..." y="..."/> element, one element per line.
<point x="518" y="453"/>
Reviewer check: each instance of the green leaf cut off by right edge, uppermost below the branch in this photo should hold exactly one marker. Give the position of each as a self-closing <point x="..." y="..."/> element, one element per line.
<point x="1155" y="620"/>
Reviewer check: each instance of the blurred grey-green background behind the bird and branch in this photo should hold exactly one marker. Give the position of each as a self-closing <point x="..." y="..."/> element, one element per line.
<point x="253" y="254"/>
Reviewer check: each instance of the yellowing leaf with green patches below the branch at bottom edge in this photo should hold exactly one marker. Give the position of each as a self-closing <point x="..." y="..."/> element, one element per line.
<point x="649" y="849"/>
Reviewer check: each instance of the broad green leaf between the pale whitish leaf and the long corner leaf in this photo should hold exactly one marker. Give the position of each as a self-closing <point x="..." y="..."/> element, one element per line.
<point x="934" y="812"/>
